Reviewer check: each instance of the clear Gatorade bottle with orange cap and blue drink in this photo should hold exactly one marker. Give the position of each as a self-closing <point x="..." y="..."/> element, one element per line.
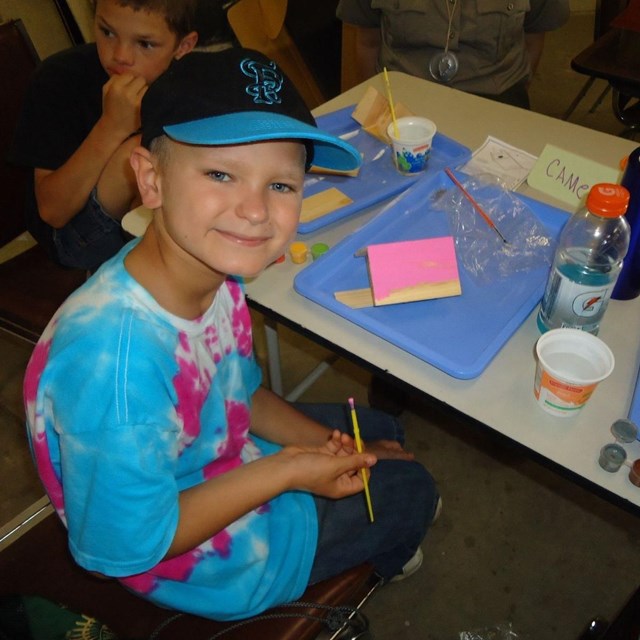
<point x="588" y="259"/>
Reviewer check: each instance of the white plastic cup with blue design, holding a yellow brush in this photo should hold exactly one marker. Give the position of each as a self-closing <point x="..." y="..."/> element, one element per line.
<point x="412" y="144"/>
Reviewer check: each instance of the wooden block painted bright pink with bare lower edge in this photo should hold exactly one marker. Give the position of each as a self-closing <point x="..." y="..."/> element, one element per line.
<point x="413" y="270"/>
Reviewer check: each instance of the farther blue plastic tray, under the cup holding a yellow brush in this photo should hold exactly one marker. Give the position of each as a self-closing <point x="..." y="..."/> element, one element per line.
<point x="377" y="178"/>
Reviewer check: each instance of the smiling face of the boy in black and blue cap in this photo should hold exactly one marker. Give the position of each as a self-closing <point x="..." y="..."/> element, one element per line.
<point x="232" y="208"/>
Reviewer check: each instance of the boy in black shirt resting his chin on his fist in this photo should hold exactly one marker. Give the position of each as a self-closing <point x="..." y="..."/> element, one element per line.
<point x="79" y="125"/>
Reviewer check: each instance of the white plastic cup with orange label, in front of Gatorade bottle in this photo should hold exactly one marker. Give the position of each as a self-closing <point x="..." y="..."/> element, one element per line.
<point x="570" y="365"/>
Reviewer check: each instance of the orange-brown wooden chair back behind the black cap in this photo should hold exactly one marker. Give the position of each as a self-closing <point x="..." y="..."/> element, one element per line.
<point x="259" y="25"/>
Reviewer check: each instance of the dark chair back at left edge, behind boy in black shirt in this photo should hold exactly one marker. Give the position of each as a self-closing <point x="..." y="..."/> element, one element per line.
<point x="18" y="59"/>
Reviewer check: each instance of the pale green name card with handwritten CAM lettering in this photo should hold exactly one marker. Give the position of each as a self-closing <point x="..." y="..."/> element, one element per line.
<point x="568" y="176"/>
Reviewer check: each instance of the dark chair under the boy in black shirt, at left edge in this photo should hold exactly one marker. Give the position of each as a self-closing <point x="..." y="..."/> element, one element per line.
<point x="32" y="286"/>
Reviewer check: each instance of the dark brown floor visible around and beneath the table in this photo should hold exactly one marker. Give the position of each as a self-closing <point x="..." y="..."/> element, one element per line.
<point x="517" y="542"/>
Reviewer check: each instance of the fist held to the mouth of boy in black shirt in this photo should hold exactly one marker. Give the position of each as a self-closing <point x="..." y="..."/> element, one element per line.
<point x="121" y="99"/>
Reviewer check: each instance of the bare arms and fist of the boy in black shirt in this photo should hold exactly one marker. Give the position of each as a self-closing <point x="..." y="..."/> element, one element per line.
<point x="101" y="160"/>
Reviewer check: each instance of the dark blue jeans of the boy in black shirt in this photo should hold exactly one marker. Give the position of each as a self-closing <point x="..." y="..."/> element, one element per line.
<point x="90" y="238"/>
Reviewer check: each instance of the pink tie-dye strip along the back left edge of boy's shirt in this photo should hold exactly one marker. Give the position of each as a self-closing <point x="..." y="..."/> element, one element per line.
<point x="46" y="471"/>
